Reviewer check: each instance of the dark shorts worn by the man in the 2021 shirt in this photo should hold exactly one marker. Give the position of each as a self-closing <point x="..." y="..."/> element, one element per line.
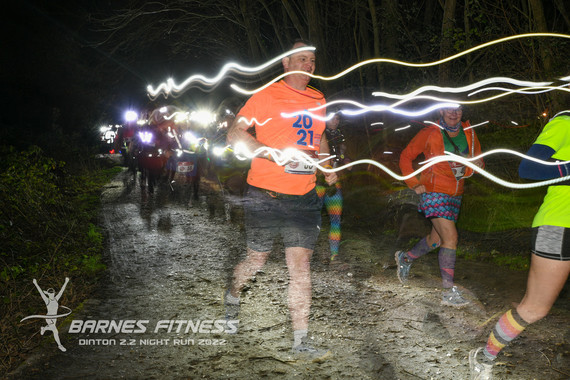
<point x="296" y="218"/>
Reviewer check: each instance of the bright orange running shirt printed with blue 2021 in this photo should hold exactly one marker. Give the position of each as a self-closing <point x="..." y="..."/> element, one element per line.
<point x="276" y="131"/>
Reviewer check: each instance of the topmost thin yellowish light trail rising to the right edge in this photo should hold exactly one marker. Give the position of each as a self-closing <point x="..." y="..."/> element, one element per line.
<point x="402" y="63"/>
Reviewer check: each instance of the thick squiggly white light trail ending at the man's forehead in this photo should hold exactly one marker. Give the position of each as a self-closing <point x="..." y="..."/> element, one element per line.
<point x="170" y="86"/>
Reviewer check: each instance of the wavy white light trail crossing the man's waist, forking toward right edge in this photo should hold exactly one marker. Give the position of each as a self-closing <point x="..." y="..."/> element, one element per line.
<point x="291" y="154"/>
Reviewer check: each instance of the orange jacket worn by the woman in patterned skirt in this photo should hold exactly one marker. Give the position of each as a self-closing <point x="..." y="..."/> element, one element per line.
<point x="438" y="178"/>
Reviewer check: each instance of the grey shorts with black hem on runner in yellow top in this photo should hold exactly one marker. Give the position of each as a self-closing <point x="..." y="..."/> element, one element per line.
<point x="551" y="242"/>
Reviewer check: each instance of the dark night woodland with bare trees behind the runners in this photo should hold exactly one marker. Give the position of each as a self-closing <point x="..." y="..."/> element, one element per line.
<point x="69" y="66"/>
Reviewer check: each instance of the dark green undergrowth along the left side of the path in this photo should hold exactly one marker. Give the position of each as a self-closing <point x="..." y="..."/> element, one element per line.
<point x="48" y="211"/>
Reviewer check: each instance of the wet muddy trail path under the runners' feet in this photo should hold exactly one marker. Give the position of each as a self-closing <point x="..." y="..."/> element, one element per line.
<point x="170" y="260"/>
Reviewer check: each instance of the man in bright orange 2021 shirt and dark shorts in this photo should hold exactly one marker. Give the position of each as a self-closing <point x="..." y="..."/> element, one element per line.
<point x="281" y="199"/>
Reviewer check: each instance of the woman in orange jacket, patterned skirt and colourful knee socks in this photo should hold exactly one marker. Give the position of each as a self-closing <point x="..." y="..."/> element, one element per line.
<point x="440" y="188"/>
